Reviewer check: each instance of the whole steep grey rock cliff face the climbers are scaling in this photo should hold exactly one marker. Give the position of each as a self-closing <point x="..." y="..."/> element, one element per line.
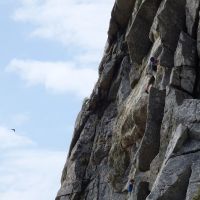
<point x="122" y="132"/>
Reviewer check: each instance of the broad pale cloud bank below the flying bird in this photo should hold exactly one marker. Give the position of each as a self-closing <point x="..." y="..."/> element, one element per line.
<point x="28" y="172"/>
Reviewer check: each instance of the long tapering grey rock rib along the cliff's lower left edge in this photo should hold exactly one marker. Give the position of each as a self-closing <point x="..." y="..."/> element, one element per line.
<point x="77" y="162"/>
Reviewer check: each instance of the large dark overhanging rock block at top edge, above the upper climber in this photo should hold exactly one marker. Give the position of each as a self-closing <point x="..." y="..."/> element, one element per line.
<point x="164" y="25"/>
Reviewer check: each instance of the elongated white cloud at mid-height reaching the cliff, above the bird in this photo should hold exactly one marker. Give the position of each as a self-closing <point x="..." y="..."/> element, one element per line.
<point x="59" y="77"/>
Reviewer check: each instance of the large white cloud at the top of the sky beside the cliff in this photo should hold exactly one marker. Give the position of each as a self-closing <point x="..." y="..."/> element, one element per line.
<point x="73" y="22"/>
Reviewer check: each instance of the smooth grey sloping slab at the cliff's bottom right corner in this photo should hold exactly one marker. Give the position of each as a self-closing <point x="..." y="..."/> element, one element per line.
<point x="172" y="181"/>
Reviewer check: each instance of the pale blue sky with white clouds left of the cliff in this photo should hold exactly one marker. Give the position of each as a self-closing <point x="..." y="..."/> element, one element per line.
<point x="49" y="56"/>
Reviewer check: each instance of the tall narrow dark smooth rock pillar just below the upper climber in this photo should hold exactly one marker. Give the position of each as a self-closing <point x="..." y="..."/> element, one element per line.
<point x="151" y="140"/>
